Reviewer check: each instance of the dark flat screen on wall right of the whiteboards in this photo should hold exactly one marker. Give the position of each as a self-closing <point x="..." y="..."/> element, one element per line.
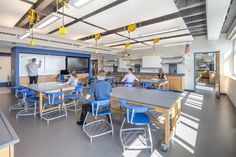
<point x="81" y="65"/>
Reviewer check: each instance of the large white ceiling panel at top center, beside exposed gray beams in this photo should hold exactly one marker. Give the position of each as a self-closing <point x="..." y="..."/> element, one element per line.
<point x="133" y="11"/>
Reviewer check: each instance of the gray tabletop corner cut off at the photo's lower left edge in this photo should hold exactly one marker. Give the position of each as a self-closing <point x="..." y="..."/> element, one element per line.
<point x="7" y="133"/>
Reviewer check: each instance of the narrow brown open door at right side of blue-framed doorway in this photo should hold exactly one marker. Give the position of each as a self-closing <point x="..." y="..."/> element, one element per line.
<point x="217" y="77"/>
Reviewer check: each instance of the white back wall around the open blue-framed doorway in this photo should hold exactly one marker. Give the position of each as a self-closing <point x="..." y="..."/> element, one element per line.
<point x="200" y="44"/>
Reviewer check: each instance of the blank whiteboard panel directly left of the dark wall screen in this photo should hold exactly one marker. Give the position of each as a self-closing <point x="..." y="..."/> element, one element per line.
<point x="54" y="64"/>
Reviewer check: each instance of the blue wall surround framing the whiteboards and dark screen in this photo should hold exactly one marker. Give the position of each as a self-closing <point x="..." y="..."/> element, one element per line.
<point x="17" y="50"/>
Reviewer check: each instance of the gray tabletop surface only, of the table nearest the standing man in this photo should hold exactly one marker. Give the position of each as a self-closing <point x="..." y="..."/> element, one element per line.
<point x="48" y="86"/>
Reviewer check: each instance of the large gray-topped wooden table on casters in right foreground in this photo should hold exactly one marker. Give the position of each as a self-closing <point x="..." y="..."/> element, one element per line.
<point x="161" y="101"/>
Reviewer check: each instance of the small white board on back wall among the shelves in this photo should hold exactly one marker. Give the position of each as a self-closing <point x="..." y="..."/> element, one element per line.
<point x="151" y="62"/>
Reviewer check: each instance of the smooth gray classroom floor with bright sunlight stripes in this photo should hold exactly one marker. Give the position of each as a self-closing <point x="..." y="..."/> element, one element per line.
<point x="207" y="128"/>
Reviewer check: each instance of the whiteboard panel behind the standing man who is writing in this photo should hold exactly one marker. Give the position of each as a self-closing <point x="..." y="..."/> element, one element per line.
<point x="25" y="59"/>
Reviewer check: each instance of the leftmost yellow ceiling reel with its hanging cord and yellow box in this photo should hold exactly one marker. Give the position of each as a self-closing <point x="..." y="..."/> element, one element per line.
<point x="33" y="18"/>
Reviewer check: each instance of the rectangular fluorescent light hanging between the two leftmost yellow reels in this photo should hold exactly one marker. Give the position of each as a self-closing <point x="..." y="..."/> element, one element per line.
<point x="48" y="20"/>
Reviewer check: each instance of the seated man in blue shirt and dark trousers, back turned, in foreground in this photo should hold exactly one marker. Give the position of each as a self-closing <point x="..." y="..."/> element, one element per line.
<point x="100" y="90"/>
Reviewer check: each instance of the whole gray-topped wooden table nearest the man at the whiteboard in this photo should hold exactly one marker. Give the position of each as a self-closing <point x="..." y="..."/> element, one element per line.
<point x="41" y="88"/>
